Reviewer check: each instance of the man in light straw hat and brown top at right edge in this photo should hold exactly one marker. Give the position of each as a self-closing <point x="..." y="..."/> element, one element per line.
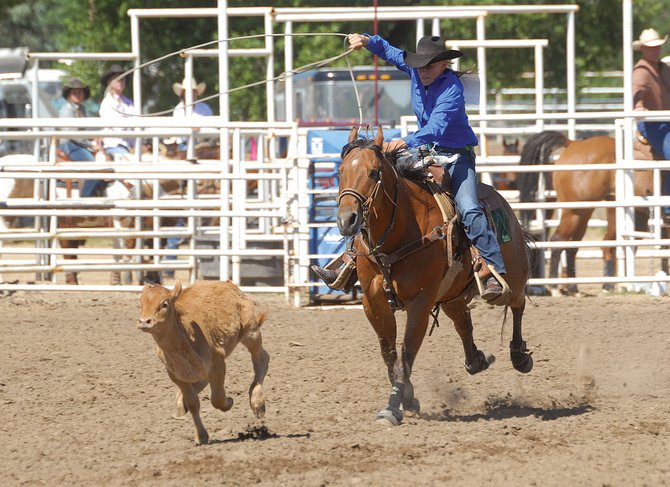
<point x="651" y="91"/>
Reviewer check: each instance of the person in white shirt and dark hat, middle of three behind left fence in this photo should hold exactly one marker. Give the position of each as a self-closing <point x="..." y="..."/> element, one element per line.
<point x="115" y="105"/>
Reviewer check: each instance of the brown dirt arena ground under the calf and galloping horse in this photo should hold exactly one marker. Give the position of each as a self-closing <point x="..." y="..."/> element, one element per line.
<point x="86" y="401"/>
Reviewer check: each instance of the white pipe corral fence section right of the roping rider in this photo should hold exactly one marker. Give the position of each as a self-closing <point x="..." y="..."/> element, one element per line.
<point x="630" y="244"/>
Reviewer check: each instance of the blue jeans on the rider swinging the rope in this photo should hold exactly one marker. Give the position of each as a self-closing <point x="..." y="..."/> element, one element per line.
<point x="464" y="190"/>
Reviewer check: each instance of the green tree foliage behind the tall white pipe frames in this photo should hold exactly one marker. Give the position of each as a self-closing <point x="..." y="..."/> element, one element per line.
<point x="103" y="26"/>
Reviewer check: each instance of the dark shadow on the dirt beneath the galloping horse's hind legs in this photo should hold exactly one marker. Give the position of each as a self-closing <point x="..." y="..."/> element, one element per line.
<point x="506" y="409"/>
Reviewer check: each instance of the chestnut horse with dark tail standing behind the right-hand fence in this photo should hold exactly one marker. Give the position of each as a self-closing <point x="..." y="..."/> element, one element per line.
<point x="583" y="185"/>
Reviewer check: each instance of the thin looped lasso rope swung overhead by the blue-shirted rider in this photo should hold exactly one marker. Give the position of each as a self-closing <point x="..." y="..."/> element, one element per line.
<point x="306" y="67"/>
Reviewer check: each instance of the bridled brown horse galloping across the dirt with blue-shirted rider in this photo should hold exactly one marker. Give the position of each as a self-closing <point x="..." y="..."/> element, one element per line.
<point x="395" y="217"/>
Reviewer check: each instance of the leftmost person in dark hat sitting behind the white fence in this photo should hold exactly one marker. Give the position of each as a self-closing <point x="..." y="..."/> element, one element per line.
<point x="75" y="94"/>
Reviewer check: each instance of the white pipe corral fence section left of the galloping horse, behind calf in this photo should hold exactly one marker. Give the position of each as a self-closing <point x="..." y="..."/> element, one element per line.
<point x="245" y="217"/>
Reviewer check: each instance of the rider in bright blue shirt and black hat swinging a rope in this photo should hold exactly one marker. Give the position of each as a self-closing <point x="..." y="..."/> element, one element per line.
<point x="445" y="134"/>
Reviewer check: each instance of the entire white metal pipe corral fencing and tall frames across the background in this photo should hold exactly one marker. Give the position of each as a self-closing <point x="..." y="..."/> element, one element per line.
<point x="278" y="213"/>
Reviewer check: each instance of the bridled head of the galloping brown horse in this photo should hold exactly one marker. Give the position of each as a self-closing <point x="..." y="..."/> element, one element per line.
<point x="360" y="180"/>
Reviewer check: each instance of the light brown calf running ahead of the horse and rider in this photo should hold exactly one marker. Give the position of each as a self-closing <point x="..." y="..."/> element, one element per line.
<point x="195" y="330"/>
